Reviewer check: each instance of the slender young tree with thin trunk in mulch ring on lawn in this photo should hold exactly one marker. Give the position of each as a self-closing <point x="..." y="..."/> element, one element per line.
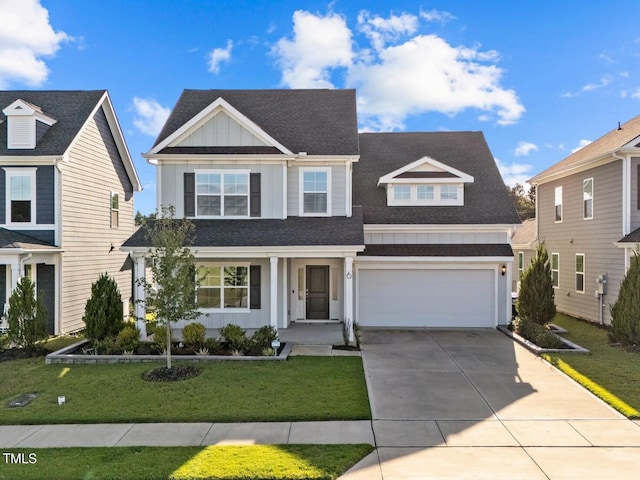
<point x="172" y="291"/>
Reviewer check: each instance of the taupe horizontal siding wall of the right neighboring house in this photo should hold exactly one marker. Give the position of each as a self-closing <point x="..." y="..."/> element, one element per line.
<point x="594" y="238"/>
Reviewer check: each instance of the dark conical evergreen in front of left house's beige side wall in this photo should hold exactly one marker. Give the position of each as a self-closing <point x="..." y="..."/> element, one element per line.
<point x="103" y="314"/>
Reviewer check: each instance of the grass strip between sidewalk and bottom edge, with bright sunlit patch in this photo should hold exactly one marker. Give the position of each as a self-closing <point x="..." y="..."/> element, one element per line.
<point x="186" y="463"/>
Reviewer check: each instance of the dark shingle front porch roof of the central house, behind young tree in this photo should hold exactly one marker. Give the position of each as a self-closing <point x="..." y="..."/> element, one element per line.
<point x="292" y="231"/>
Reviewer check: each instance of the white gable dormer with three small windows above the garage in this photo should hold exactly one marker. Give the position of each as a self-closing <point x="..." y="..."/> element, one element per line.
<point x="425" y="182"/>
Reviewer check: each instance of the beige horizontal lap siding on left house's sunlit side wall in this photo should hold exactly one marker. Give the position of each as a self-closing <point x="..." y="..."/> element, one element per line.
<point x="93" y="171"/>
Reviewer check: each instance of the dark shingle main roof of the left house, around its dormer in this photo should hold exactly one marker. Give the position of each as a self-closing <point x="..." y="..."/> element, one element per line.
<point x="70" y="108"/>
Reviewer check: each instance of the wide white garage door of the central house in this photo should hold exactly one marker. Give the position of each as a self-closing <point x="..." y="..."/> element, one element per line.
<point x="426" y="298"/>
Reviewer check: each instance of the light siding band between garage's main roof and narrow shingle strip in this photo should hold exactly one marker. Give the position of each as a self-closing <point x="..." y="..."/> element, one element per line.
<point x="403" y="238"/>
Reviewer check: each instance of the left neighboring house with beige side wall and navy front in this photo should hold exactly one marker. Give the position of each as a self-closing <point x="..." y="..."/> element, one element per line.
<point x="66" y="199"/>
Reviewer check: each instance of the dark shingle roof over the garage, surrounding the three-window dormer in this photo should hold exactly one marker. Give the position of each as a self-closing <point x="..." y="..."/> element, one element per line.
<point x="486" y="201"/>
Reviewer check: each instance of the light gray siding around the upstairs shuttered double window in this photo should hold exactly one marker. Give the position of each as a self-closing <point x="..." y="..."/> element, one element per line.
<point x="271" y="184"/>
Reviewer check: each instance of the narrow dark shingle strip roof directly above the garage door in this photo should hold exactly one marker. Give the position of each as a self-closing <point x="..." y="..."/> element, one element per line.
<point x="438" y="250"/>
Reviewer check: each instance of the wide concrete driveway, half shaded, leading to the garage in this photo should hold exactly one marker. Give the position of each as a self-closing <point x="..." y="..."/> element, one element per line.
<point x="434" y="394"/>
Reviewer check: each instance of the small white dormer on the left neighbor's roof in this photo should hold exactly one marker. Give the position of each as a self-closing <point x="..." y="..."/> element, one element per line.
<point x="26" y="124"/>
